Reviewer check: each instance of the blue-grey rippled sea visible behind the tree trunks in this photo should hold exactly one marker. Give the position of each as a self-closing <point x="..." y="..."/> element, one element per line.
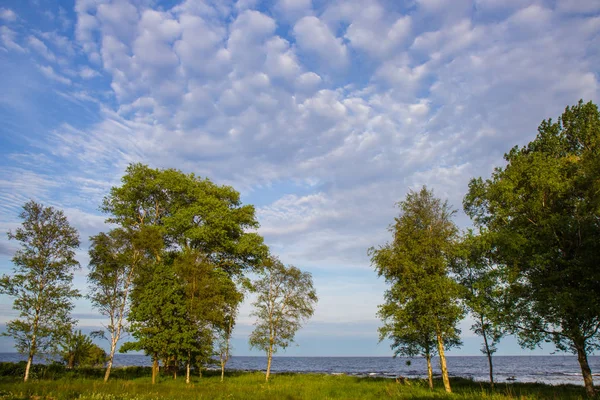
<point x="554" y="370"/>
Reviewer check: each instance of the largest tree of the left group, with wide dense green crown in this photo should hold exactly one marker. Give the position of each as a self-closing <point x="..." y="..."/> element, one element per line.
<point x="198" y="229"/>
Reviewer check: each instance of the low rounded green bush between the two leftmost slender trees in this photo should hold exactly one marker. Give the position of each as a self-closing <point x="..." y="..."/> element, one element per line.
<point x="79" y="350"/>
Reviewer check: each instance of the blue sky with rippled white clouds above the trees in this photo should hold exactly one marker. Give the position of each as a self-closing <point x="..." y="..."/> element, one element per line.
<point x="322" y="114"/>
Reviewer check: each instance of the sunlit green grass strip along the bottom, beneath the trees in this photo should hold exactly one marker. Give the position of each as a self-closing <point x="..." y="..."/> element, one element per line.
<point x="134" y="384"/>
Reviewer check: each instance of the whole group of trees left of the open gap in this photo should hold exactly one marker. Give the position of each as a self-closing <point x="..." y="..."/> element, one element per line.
<point x="172" y="272"/>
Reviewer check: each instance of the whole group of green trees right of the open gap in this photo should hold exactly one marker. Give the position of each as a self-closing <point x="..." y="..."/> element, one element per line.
<point x="530" y="265"/>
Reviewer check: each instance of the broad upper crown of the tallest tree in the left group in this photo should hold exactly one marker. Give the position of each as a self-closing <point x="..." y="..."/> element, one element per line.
<point x="189" y="212"/>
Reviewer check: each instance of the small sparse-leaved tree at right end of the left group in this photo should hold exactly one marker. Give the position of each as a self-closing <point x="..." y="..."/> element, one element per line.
<point x="285" y="300"/>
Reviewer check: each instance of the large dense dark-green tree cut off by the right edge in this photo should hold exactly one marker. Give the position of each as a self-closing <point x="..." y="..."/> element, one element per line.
<point x="543" y="209"/>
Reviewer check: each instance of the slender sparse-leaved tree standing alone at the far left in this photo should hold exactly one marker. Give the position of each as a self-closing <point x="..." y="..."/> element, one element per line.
<point x="41" y="282"/>
